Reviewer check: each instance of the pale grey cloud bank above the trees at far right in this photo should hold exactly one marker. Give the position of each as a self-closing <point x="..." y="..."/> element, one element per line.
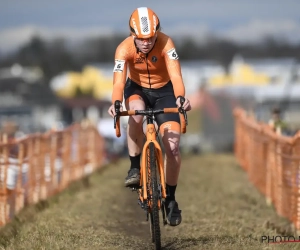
<point x="256" y="30"/>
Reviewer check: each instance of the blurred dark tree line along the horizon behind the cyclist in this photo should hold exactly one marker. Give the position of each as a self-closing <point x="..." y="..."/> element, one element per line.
<point x="57" y="56"/>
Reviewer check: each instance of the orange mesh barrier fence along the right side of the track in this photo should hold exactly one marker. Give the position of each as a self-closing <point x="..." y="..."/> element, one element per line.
<point x="272" y="162"/>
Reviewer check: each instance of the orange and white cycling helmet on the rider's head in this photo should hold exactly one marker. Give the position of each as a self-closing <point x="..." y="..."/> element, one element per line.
<point x="143" y="23"/>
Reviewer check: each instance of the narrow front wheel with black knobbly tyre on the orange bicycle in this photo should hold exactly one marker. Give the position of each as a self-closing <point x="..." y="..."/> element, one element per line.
<point x="153" y="186"/>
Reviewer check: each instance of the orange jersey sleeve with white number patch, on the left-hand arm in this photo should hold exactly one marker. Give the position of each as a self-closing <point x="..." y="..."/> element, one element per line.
<point x="119" y="73"/>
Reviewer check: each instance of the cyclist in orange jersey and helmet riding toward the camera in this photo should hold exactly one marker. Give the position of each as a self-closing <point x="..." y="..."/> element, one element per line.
<point x="154" y="80"/>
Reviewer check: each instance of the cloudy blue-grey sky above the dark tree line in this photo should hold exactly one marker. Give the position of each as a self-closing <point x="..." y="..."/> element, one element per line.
<point x="238" y="20"/>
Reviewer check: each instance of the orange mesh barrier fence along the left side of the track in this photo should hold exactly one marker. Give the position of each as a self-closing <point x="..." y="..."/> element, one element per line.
<point x="40" y="165"/>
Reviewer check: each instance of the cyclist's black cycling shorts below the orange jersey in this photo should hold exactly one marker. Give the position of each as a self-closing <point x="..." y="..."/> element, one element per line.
<point x="155" y="98"/>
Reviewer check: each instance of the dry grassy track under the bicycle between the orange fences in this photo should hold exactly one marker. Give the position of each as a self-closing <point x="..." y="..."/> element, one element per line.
<point x="220" y="208"/>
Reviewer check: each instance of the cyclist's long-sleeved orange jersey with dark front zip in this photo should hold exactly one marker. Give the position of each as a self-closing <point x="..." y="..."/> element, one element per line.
<point x="152" y="70"/>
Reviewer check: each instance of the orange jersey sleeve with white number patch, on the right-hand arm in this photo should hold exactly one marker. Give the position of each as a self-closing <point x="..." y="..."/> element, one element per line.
<point x="174" y="68"/>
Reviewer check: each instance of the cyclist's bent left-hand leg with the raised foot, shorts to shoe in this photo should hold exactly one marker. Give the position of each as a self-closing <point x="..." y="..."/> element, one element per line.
<point x="134" y="99"/>
